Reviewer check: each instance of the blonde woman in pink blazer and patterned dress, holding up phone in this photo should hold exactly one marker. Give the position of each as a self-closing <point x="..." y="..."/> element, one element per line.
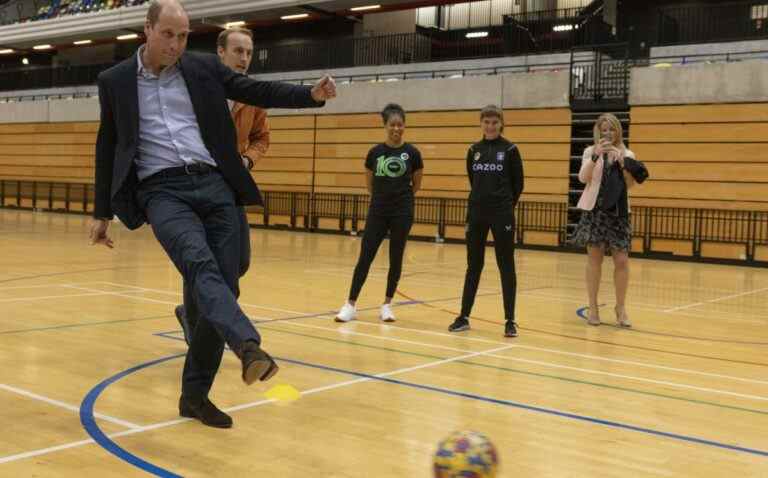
<point x="604" y="227"/>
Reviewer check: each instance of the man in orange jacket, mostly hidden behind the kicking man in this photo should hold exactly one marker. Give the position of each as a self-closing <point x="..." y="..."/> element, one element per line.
<point x="235" y="49"/>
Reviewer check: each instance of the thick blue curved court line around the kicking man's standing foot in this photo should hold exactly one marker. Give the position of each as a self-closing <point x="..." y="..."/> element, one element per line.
<point x="92" y="428"/>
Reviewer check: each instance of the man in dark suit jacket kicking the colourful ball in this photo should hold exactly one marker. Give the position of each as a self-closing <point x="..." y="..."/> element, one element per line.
<point x="166" y="154"/>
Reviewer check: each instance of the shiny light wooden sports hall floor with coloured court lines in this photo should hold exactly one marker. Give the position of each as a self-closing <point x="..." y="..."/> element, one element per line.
<point x="90" y="362"/>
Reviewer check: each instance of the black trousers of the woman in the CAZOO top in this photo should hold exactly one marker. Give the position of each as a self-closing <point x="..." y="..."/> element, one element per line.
<point x="503" y="228"/>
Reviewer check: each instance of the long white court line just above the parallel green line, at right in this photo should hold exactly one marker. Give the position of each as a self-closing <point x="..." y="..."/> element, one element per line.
<point x="537" y="362"/>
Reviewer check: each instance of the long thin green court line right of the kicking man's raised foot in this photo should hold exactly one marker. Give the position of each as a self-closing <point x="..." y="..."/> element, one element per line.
<point x="524" y="372"/>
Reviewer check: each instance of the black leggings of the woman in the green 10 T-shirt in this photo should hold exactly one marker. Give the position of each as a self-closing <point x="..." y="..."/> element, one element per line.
<point x="376" y="228"/>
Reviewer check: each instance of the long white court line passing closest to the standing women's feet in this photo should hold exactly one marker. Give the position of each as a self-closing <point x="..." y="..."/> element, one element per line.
<point x="496" y="342"/>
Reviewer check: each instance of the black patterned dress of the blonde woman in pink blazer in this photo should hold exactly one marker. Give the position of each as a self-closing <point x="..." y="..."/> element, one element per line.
<point x="607" y="224"/>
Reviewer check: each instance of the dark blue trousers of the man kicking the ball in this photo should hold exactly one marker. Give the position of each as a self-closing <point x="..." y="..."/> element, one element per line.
<point x="196" y="221"/>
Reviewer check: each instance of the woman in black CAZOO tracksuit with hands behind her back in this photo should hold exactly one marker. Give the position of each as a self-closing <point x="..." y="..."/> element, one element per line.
<point x="495" y="171"/>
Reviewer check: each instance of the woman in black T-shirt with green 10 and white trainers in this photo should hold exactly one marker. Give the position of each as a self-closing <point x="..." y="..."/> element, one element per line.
<point x="393" y="174"/>
